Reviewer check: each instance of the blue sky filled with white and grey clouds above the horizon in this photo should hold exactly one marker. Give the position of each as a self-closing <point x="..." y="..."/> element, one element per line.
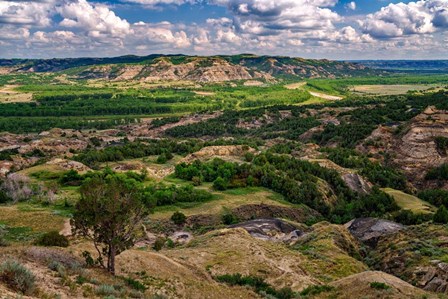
<point x="332" y="29"/>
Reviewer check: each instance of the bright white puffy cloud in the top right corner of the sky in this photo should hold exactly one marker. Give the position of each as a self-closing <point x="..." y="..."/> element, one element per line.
<point x="396" y="20"/>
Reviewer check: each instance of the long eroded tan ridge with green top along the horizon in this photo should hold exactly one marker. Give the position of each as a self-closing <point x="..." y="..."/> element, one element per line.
<point x="190" y="68"/>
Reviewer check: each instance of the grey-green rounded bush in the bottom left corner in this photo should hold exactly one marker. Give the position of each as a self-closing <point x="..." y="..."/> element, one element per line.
<point x="17" y="277"/>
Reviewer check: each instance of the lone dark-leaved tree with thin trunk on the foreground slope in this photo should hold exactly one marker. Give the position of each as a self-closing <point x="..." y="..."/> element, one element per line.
<point x="110" y="213"/>
